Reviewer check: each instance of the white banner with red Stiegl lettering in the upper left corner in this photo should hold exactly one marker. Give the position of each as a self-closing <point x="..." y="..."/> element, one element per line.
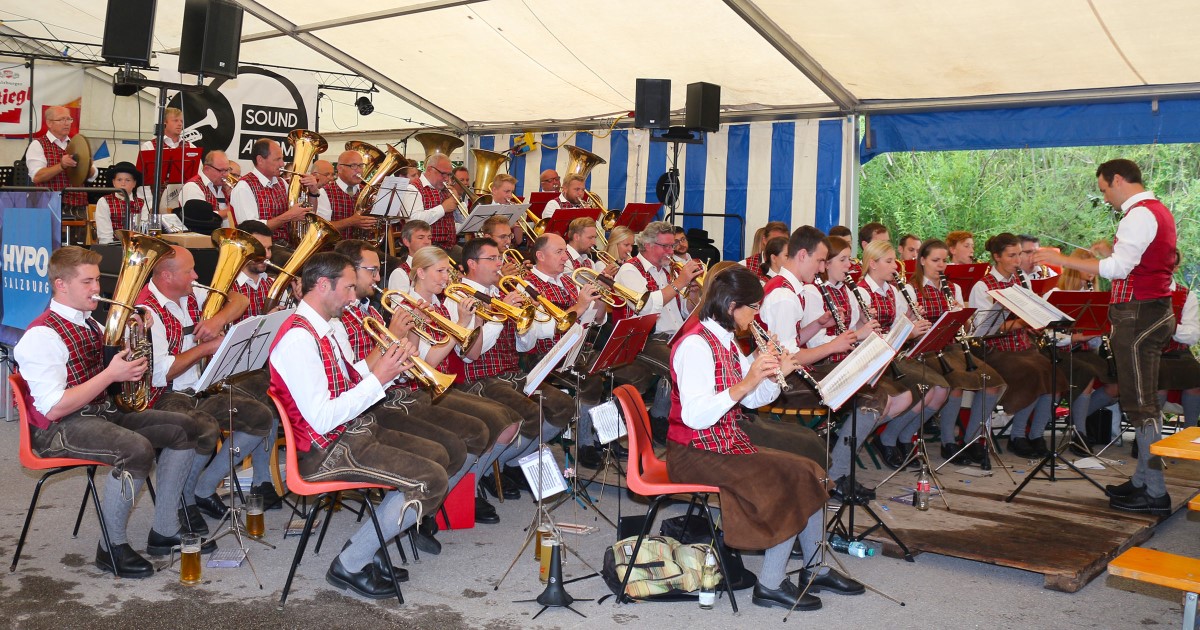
<point x="53" y="86"/>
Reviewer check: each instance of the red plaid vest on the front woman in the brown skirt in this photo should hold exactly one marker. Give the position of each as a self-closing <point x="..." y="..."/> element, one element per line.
<point x="727" y="436"/>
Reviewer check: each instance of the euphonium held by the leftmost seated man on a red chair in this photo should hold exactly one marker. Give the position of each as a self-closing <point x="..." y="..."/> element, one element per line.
<point x="140" y="256"/>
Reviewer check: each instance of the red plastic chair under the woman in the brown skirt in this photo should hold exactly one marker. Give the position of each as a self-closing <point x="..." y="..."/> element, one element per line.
<point x="647" y="476"/>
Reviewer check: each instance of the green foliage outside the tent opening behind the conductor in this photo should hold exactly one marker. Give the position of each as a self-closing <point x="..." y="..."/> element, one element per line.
<point x="1051" y="193"/>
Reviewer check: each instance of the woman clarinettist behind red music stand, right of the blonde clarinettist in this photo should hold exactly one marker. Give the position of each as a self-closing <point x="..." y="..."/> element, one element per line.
<point x="937" y="297"/>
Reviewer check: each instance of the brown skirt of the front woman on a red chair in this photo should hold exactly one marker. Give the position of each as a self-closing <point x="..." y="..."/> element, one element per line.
<point x="767" y="497"/>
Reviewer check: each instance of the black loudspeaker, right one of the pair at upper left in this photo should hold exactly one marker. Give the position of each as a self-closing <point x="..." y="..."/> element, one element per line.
<point x="212" y="39"/>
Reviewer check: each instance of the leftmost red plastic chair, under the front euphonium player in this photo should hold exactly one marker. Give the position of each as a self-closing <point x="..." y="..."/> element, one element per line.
<point x="53" y="466"/>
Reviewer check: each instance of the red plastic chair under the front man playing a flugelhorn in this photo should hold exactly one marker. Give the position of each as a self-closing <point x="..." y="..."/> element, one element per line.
<point x="326" y="493"/>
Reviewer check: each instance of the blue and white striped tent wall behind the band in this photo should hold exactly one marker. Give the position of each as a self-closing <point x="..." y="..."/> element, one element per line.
<point x="796" y="172"/>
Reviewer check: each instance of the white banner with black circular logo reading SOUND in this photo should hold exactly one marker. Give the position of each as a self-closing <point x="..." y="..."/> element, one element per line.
<point x="231" y="115"/>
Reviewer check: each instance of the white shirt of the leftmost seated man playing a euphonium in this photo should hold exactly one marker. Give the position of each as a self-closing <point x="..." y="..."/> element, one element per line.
<point x="43" y="357"/>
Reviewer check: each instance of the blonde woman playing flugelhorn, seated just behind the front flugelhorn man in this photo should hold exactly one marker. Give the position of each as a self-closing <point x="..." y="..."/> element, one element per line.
<point x="430" y="278"/>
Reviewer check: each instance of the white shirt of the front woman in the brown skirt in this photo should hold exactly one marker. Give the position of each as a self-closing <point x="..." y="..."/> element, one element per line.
<point x="695" y="369"/>
